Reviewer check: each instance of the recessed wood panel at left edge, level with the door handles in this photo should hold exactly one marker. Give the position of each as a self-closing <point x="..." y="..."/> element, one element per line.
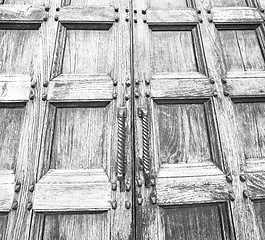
<point x="11" y="121"/>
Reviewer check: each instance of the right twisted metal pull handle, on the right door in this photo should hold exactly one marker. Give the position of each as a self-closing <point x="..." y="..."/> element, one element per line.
<point x="146" y="152"/>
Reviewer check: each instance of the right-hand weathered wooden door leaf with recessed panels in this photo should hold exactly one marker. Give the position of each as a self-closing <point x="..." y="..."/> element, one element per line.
<point x="199" y="114"/>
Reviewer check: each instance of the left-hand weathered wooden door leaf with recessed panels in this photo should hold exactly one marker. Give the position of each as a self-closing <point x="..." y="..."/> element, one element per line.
<point x="65" y="120"/>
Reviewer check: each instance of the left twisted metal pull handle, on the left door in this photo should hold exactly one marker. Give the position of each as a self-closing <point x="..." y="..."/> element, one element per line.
<point x="121" y="160"/>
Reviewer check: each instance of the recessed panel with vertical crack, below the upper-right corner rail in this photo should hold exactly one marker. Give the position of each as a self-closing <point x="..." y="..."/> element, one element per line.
<point x="242" y="51"/>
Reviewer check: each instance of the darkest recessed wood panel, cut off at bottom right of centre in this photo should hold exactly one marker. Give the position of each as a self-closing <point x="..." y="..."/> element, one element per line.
<point x="203" y="222"/>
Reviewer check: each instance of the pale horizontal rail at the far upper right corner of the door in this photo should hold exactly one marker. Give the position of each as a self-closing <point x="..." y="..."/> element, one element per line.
<point x="237" y="15"/>
